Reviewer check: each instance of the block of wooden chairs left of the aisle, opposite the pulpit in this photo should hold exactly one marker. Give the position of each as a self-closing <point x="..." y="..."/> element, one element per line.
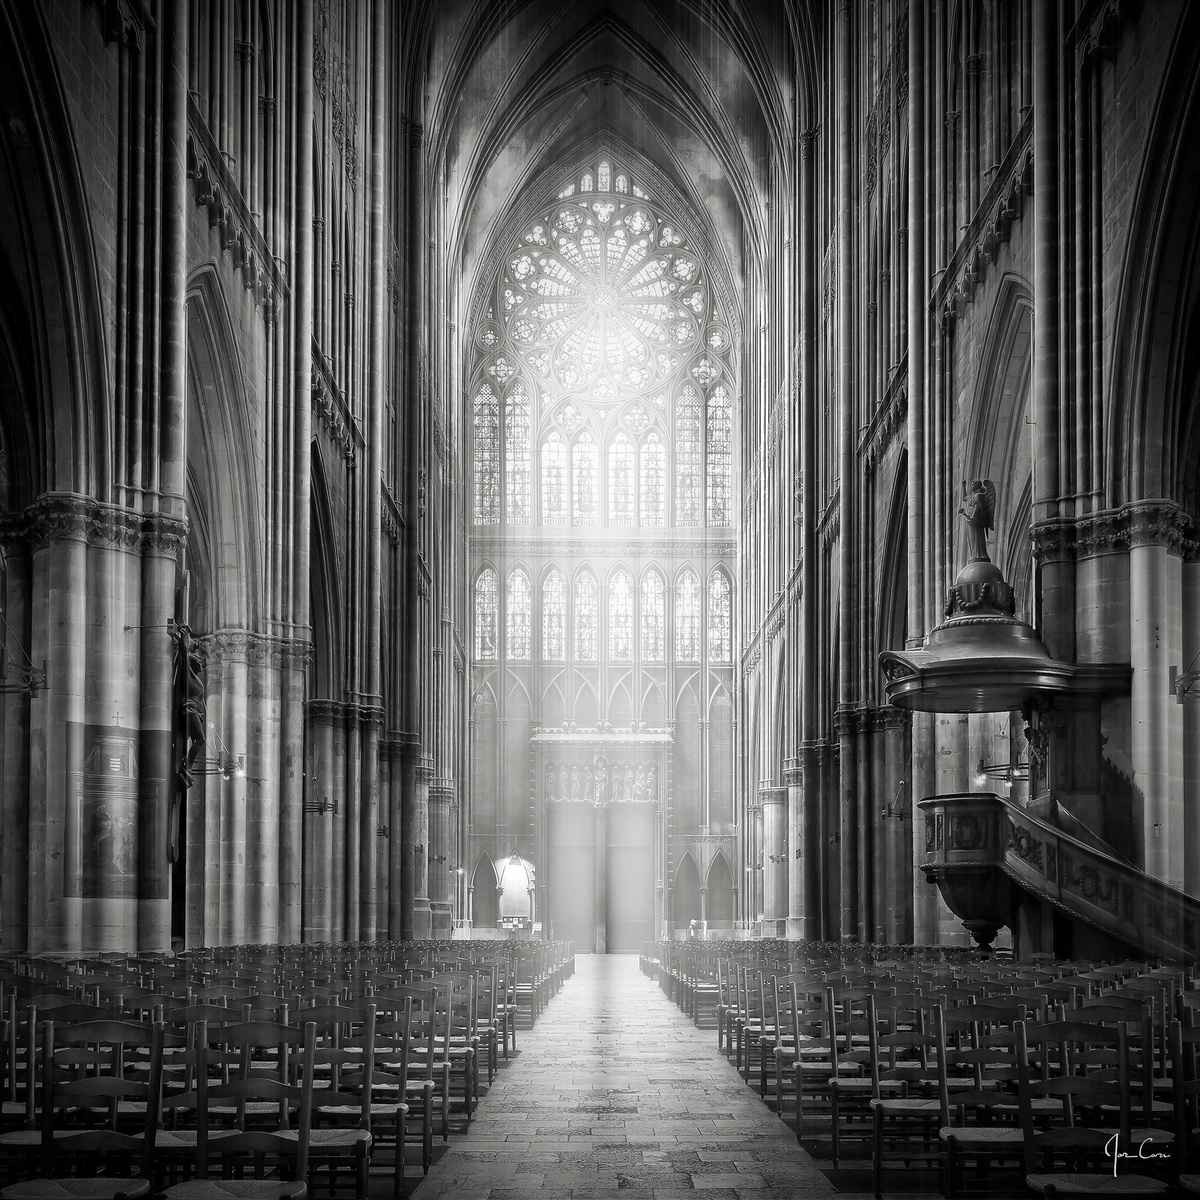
<point x="197" y="1072"/>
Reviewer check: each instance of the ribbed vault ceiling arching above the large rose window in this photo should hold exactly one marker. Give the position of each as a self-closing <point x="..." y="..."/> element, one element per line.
<point x="705" y="93"/>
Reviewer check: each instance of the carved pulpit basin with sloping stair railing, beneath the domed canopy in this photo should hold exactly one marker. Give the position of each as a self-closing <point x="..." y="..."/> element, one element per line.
<point x="980" y="845"/>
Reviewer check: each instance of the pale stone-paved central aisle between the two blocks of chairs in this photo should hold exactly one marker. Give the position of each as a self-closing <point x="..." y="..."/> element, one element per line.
<point x="616" y="1094"/>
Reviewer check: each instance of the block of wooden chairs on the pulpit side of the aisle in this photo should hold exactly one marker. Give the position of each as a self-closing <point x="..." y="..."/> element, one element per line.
<point x="1045" y="1069"/>
